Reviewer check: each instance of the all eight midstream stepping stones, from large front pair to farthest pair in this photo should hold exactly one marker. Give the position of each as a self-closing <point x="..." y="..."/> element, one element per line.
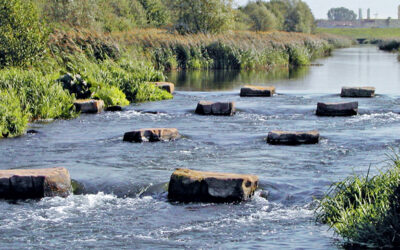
<point x="185" y="185"/>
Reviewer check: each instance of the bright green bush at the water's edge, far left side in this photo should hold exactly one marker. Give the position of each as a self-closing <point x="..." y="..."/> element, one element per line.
<point x="13" y="119"/>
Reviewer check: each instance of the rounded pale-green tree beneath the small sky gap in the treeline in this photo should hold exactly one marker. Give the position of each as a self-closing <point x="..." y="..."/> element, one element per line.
<point x="260" y="18"/>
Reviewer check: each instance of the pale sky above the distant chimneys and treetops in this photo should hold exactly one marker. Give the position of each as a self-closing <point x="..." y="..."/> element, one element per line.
<point x="383" y="8"/>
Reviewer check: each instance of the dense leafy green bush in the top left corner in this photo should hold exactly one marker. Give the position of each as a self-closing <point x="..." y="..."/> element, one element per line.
<point x="22" y="36"/>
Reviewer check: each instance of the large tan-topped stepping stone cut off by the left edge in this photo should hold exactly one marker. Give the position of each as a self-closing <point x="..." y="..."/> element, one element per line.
<point x="34" y="183"/>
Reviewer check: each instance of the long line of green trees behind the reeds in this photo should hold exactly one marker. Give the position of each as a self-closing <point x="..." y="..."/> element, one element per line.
<point x="200" y="16"/>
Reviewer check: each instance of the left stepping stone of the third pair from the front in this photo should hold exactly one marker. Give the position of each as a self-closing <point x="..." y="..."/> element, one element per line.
<point x="215" y="108"/>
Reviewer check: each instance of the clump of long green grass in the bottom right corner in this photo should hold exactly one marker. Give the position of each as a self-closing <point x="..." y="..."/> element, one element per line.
<point x="365" y="210"/>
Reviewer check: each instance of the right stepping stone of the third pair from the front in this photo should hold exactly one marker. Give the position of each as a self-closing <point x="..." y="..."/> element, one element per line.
<point x="337" y="109"/>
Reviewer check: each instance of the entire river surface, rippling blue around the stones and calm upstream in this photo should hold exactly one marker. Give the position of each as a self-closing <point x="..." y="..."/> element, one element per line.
<point x="125" y="203"/>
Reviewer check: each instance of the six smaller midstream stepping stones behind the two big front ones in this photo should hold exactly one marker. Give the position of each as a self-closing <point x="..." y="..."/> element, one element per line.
<point x="274" y="137"/>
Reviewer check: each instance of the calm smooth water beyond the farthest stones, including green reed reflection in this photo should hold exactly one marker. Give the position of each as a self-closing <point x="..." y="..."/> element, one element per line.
<point x="357" y="66"/>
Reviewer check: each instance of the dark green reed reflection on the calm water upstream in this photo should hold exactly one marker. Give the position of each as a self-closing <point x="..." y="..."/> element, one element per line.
<point x="231" y="79"/>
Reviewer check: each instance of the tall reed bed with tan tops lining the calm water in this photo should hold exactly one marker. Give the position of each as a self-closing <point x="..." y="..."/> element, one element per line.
<point x="231" y="50"/>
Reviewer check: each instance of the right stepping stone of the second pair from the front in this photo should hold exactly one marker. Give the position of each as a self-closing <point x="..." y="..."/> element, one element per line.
<point x="292" y="138"/>
